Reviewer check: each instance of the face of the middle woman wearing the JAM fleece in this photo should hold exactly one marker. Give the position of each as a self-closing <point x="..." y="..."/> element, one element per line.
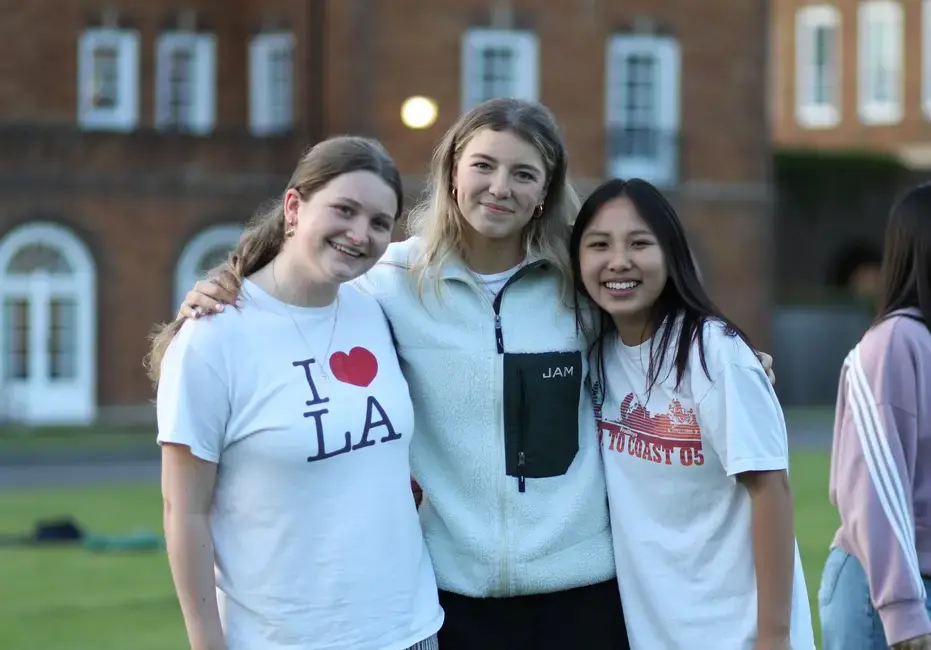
<point x="500" y="181"/>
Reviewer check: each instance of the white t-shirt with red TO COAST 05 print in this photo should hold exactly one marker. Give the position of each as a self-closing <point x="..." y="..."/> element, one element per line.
<point x="681" y="523"/>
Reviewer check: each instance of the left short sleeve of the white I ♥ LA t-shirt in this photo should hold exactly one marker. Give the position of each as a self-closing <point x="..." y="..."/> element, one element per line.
<point x="192" y="403"/>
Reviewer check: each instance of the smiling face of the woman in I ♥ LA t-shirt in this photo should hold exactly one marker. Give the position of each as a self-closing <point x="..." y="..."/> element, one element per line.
<point x="341" y="230"/>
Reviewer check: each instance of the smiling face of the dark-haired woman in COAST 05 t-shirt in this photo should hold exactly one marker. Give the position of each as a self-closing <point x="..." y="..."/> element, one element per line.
<point x="623" y="267"/>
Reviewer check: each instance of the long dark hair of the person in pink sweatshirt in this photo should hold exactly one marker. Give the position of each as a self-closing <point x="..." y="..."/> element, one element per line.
<point x="906" y="265"/>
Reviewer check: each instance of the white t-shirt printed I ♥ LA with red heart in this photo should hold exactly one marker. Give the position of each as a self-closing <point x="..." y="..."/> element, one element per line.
<point x="317" y="539"/>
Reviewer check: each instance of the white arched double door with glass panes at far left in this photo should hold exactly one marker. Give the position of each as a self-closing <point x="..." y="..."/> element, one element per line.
<point x="47" y="321"/>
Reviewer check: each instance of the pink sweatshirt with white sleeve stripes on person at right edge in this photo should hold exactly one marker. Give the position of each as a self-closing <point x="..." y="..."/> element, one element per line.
<point x="881" y="469"/>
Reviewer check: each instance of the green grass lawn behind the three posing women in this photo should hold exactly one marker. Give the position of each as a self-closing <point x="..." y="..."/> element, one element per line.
<point x="73" y="599"/>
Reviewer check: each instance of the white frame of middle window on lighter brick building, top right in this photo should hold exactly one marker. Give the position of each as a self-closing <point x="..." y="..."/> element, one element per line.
<point x="890" y="13"/>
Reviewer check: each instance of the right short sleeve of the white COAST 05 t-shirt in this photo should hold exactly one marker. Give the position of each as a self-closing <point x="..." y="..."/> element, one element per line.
<point x="743" y="420"/>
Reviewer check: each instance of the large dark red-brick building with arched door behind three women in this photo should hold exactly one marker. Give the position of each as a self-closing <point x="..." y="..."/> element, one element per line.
<point x="138" y="136"/>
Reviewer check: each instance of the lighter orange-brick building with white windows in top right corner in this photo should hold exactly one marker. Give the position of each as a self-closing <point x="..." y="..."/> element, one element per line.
<point x="853" y="74"/>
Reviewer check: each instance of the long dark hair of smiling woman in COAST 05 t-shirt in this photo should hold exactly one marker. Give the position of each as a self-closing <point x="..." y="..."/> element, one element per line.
<point x="683" y="296"/>
